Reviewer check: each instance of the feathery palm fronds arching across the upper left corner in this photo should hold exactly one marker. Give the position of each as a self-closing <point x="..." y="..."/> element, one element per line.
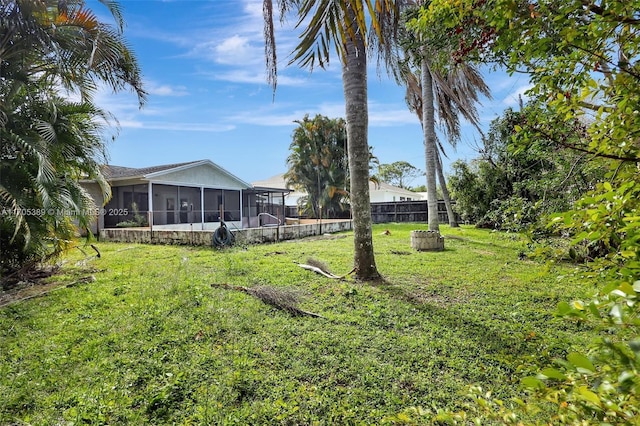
<point x="62" y="42"/>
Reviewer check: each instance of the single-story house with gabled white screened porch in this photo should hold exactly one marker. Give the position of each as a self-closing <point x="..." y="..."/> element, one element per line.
<point x="194" y="195"/>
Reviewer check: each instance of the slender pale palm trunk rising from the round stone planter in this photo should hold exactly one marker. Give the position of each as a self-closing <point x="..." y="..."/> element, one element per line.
<point x="430" y="149"/>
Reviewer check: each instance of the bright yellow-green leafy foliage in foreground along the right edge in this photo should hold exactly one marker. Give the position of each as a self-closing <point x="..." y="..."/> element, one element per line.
<point x="583" y="59"/>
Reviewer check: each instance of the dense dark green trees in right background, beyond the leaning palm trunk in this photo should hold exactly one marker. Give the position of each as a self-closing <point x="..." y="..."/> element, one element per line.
<point x="512" y="187"/>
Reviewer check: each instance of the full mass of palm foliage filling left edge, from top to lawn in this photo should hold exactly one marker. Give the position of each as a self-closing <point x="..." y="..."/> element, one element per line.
<point x="50" y="143"/>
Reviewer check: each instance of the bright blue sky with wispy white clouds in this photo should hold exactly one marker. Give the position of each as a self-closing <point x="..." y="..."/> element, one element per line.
<point x="203" y="66"/>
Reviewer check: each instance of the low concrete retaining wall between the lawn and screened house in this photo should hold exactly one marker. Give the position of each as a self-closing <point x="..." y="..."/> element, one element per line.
<point x="205" y="238"/>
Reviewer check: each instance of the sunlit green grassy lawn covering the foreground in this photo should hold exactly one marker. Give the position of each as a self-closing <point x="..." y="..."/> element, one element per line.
<point x="150" y="341"/>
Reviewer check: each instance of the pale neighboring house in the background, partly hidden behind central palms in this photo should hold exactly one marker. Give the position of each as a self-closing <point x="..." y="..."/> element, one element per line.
<point x="378" y="192"/>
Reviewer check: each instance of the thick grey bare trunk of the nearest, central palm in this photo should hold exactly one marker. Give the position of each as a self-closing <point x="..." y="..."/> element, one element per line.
<point x="354" y="78"/>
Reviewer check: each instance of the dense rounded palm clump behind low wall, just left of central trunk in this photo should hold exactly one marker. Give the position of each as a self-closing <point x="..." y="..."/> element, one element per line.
<point x="317" y="165"/>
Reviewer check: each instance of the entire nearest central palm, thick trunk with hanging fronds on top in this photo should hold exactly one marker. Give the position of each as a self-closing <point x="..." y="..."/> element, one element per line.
<point x="351" y="27"/>
